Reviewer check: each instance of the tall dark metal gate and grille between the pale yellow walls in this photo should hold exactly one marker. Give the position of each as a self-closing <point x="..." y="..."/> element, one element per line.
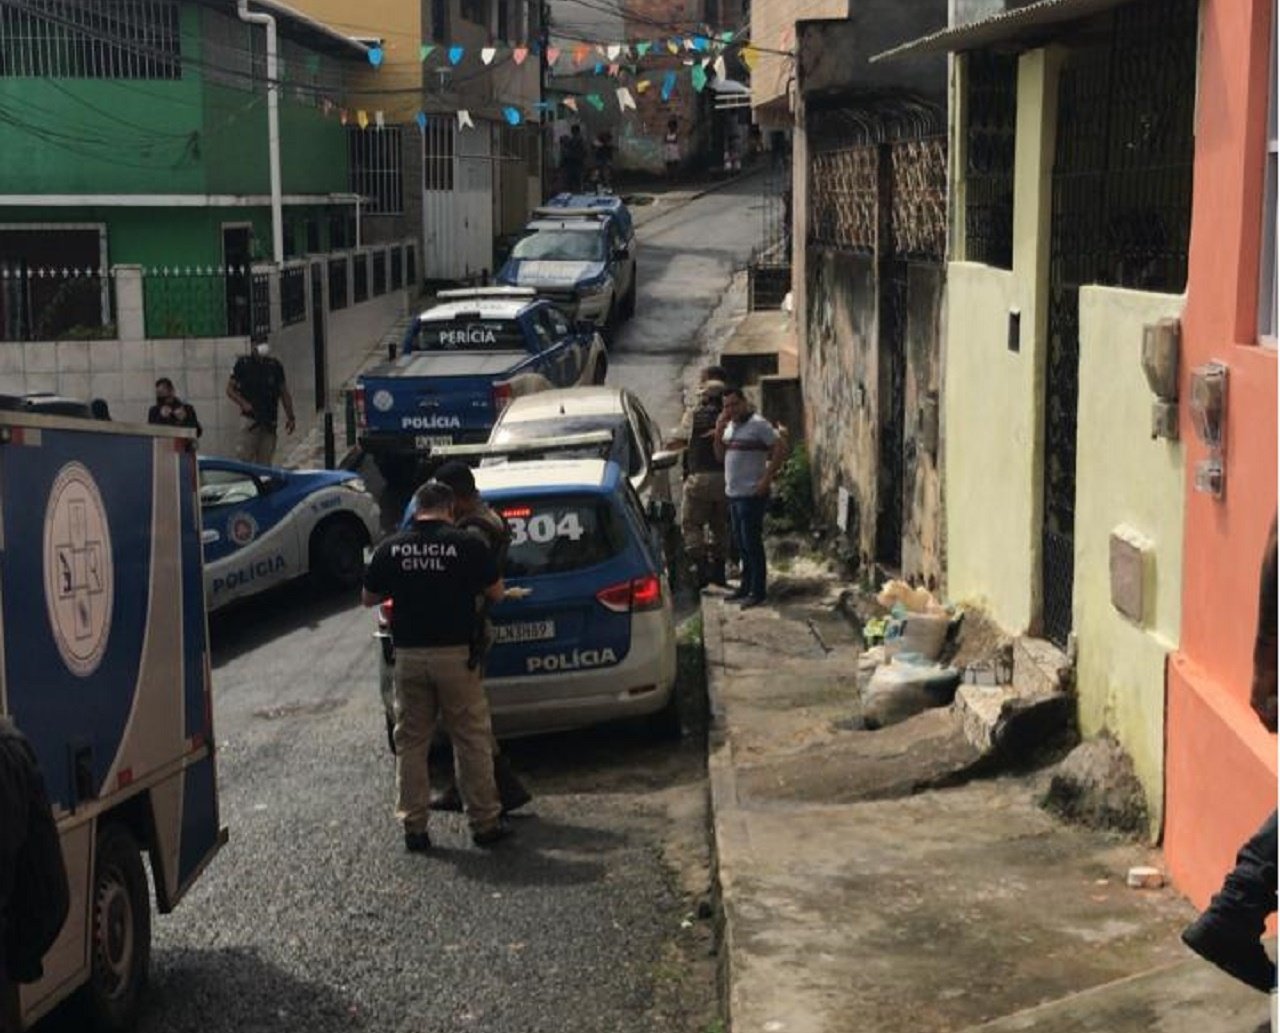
<point x="1121" y="217"/>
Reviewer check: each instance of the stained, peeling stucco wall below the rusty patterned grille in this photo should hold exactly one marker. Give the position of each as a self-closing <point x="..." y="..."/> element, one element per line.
<point x="839" y="373"/>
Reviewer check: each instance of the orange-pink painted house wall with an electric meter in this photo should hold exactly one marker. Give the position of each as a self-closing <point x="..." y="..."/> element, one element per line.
<point x="1222" y="764"/>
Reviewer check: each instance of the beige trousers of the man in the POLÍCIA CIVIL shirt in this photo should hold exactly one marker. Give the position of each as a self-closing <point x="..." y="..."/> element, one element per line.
<point x="437" y="684"/>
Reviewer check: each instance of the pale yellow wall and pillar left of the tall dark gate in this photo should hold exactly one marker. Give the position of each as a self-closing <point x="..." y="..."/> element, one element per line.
<point x="993" y="395"/>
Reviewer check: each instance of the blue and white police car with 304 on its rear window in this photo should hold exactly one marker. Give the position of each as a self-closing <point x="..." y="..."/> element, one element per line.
<point x="592" y="637"/>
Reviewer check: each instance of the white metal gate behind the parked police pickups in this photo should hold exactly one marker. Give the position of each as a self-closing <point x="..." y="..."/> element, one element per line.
<point x="458" y="199"/>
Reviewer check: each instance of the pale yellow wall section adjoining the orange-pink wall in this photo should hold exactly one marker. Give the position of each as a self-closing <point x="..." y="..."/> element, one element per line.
<point x="1124" y="478"/>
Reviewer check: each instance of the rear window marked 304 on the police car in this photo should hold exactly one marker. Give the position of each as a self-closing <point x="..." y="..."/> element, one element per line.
<point x="555" y="536"/>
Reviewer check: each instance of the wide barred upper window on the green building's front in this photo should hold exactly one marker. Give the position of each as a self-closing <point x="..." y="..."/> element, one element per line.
<point x="92" y="40"/>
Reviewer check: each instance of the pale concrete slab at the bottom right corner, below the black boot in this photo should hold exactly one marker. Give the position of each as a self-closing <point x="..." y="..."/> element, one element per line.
<point x="1186" y="998"/>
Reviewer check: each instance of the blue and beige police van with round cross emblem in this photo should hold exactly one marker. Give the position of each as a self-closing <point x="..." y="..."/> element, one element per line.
<point x="104" y="666"/>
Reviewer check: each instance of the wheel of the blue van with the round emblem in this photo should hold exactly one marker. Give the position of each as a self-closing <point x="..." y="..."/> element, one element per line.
<point x="121" y="943"/>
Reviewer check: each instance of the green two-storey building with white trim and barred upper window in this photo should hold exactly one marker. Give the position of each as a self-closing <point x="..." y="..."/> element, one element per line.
<point x="135" y="132"/>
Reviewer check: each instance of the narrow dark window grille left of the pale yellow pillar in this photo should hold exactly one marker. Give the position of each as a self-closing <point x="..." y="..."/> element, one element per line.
<point x="993" y="116"/>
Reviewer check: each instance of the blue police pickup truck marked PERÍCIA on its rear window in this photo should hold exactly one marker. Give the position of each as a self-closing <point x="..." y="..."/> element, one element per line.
<point x="460" y="364"/>
